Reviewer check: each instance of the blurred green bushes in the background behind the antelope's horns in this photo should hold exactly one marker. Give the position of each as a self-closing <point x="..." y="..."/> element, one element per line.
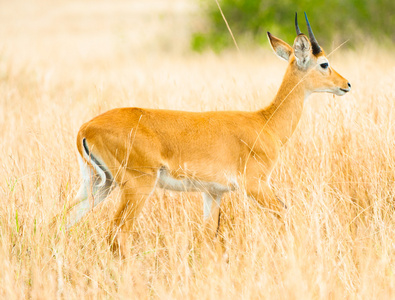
<point x="332" y="21"/>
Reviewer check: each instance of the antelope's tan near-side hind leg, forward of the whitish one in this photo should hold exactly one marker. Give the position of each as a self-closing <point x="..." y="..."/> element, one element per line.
<point x="135" y="189"/>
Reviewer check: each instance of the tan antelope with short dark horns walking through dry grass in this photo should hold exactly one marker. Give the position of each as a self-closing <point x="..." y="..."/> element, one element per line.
<point x="213" y="152"/>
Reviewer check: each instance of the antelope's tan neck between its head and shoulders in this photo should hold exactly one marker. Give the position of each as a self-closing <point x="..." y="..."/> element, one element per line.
<point x="283" y="114"/>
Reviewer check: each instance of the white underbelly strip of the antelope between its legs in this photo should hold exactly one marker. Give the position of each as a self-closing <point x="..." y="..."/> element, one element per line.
<point x="166" y="181"/>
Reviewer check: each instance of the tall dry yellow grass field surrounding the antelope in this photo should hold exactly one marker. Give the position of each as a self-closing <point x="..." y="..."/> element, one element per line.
<point x="63" y="63"/>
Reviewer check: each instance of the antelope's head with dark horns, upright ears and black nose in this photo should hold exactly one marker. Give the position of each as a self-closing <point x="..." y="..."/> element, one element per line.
<point x="309" y="63"/>
